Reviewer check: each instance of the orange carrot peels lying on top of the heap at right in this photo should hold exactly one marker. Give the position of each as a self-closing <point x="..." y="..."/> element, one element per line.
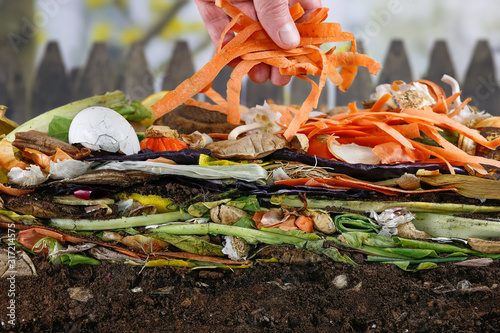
<point x="392" y="134"/>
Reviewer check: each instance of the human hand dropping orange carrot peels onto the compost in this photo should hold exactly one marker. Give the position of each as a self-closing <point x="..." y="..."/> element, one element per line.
<point x="276" y="21"/>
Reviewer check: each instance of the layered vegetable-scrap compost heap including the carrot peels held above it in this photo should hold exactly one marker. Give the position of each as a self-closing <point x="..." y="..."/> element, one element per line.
<point x="409" y="178"/>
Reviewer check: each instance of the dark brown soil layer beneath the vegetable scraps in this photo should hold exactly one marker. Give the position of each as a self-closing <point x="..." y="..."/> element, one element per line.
<point x="267" y="297"/>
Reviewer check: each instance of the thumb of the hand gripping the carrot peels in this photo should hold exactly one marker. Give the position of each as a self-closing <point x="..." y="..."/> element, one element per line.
<point x="277" y="22"/>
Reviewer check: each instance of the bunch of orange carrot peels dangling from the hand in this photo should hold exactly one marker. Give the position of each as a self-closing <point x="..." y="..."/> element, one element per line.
<point x="253" y="46"/>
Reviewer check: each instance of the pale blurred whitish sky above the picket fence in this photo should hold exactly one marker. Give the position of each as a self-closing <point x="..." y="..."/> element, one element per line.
<point x="419" y="23"/>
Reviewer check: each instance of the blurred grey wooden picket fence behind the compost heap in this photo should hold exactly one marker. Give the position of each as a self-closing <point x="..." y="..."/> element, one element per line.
<point x="54" y="85"/>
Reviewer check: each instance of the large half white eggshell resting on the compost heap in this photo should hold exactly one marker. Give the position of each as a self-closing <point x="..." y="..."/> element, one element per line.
<point x="101" y="128"/>
